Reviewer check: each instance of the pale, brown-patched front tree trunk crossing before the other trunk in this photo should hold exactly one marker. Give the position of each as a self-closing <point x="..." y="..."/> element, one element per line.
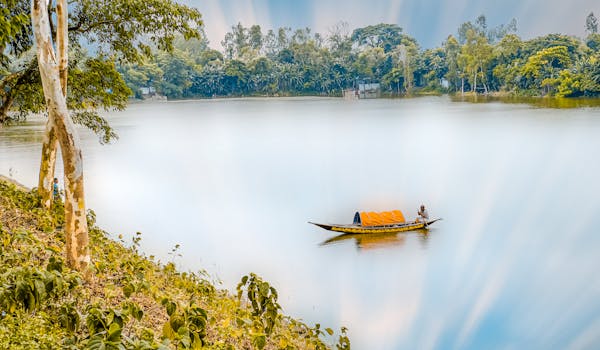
<point x="76" y="230"/>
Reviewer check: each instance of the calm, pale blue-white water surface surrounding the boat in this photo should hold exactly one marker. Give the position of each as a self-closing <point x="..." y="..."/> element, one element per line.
<point x="514" y="264"/>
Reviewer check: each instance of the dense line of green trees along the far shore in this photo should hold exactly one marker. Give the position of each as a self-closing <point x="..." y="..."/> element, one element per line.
<point x="478" y="59"/>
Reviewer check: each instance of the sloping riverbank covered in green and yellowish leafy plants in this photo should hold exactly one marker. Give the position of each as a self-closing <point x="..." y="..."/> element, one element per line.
<point x="131" y="301"/>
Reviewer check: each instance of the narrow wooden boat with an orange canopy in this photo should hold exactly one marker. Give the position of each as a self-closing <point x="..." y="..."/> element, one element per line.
<point x="383" y="222"/>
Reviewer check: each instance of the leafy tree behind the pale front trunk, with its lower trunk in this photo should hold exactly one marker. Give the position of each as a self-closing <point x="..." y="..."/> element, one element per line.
<point x="123" y="32"/>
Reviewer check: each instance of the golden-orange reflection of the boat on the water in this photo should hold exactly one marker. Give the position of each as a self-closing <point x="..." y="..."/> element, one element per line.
<point x="378" y="240"/>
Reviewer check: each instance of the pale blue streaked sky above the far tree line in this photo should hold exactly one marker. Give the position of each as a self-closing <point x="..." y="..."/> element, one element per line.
<point x="429" y="21"/>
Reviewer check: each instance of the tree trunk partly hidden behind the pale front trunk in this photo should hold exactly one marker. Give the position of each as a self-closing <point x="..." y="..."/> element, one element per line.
<point x="50" y="143"/>
